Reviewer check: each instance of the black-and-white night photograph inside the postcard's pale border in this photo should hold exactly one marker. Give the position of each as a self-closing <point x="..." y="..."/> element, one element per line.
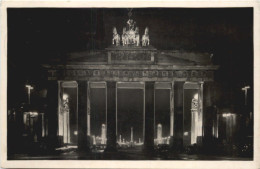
<point x="130" y="84"/>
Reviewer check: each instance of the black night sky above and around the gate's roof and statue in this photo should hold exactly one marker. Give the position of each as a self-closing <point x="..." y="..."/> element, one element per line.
<point x="37" y="34"/>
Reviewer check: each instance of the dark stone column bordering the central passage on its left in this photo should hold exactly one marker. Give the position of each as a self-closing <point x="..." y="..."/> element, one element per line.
<point x="111" y="117"/>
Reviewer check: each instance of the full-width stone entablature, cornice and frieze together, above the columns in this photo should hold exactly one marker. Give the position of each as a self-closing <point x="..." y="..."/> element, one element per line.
<point x="131" y="73"/>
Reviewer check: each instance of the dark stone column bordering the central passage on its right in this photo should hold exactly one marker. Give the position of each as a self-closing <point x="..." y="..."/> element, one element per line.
<point x="149" y="117"/>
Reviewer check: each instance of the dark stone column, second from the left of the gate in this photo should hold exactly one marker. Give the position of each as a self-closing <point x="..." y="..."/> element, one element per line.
<point x="83" y="140"/>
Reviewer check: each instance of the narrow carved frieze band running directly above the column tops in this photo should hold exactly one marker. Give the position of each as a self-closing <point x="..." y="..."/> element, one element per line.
<point x="192" y="74"/>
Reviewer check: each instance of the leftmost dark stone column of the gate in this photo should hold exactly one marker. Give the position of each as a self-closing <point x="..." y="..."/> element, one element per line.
<point x="52" y="114"/>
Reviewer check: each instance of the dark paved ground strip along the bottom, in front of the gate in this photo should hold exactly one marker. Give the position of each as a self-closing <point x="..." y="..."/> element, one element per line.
<point x="122" y="155"/>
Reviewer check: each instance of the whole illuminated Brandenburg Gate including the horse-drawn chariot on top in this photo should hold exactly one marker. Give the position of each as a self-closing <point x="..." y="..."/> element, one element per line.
<point x="129" y="63"/>
